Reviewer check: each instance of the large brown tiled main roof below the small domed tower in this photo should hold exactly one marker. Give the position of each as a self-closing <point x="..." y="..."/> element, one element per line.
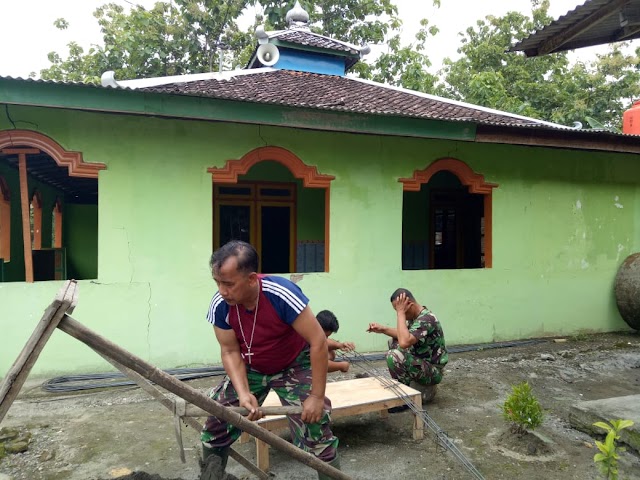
<point x="326" y="92"/>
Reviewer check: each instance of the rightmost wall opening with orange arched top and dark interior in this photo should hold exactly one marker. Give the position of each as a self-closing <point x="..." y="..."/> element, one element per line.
<point x="447" y="220"/>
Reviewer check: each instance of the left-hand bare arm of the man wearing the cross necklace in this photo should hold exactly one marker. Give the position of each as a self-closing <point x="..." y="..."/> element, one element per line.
<point x="237" y="371"/>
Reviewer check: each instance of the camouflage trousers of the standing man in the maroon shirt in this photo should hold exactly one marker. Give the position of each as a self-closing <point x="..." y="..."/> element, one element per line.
<point x="292" y="386"/>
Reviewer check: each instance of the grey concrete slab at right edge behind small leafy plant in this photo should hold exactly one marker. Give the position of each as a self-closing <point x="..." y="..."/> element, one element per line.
<point x="583" y="415"/>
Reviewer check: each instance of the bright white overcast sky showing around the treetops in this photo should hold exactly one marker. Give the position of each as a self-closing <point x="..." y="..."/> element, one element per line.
<point x="28" y="35"/>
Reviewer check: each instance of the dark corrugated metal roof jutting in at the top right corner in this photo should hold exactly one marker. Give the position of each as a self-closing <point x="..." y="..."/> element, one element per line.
<point x="596" y="22"/>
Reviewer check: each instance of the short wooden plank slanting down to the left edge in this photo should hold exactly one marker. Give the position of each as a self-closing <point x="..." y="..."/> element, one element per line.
<point x="65" y="300"/>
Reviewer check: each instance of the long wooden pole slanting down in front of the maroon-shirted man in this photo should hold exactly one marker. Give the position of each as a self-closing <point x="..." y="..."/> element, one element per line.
<point x="166" y="381"/>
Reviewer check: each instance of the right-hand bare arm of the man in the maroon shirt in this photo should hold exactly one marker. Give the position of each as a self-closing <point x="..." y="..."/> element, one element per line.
<point x="308" y="328"/>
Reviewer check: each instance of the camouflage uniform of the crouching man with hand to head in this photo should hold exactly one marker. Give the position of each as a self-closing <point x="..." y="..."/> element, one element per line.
<point x="424" y="361"/>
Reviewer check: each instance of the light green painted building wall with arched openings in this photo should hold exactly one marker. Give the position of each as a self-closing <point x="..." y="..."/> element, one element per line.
<point x="563" y="222"/>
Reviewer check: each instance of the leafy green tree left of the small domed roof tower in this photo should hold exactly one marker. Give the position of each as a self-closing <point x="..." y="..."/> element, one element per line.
<point x="164" y="40"/>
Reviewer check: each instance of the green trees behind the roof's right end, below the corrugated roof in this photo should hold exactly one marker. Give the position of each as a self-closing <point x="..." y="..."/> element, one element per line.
<point x="545" y="87"/>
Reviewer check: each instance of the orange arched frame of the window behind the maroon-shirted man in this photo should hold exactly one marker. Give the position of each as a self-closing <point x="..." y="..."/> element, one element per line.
<point x="309" y="175"/>
